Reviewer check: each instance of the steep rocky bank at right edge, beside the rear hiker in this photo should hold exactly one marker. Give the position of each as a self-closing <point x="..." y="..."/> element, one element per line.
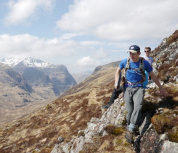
<point x="166" y="58"/>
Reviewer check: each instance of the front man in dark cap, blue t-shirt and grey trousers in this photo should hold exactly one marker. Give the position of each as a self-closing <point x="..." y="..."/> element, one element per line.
<point x="133" y="90"/>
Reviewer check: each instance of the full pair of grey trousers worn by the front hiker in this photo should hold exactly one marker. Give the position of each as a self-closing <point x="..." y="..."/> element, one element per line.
<point x="133" y="98"/>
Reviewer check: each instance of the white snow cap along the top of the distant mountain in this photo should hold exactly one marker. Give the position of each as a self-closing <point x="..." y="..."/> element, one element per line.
<point x="28" y="62"/>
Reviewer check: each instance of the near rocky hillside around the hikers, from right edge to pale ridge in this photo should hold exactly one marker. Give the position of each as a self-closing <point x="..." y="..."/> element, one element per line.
<point x="106" y="134"/>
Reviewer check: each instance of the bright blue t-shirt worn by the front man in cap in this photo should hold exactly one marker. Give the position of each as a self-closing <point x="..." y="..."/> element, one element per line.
<point x="134" y="74"/>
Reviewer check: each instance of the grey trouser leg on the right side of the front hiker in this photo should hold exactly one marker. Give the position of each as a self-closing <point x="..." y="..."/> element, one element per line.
<point x="138" y="98"/>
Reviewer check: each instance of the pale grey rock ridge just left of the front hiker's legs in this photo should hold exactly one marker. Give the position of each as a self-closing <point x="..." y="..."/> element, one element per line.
<point x="115" y="115"/>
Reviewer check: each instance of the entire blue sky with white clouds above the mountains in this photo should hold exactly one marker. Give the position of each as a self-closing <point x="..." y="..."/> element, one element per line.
<point x="83" y="34"/>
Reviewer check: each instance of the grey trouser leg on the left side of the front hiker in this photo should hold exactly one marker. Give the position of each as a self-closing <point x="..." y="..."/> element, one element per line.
<point x="129" y="104"/>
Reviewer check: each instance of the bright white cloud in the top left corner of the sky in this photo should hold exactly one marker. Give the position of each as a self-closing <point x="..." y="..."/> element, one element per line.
<point x="22" y="9"/>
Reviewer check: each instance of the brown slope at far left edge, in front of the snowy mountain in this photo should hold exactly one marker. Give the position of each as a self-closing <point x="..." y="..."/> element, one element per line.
<point x="16" y="95"/>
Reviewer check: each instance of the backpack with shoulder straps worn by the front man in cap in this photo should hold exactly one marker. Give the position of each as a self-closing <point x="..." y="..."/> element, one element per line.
<point x="144" y="73"/>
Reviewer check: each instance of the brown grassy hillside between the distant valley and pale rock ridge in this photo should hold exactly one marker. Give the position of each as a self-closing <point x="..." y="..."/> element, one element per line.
<point x="64" y="117"/>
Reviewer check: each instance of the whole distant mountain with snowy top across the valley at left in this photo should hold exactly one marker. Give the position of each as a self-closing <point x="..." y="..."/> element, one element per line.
<point x="28" y="84"/>
